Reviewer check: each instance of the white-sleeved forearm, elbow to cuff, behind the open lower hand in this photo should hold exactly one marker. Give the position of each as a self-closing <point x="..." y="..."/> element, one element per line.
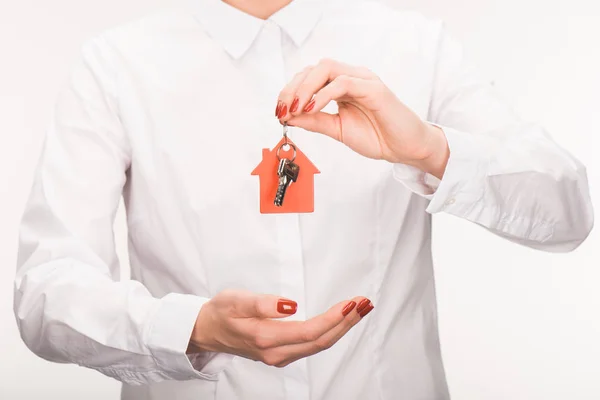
<point x="70" y="312"/>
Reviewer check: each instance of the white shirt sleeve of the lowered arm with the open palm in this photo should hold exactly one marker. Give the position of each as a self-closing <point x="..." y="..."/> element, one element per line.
<point x="69" y="305"/>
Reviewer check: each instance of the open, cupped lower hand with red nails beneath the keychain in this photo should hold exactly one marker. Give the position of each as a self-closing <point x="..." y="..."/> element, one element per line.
<point x="248" y="325"/>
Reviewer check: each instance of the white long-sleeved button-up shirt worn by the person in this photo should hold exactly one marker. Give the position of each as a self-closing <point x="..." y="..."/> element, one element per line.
<point x="172" y="111"/>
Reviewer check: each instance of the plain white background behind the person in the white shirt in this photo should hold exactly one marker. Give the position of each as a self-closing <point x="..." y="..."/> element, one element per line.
<point x="515" y="323"/>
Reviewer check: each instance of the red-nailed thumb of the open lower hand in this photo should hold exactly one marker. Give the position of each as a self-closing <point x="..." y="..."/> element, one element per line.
<point x="251" y="305"/>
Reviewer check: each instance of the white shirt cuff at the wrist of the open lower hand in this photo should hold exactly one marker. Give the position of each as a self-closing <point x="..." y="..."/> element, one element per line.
<point x="169" y="335"/>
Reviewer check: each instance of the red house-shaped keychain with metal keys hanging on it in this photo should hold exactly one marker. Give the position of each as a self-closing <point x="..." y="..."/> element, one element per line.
<point x="286" y="176"/>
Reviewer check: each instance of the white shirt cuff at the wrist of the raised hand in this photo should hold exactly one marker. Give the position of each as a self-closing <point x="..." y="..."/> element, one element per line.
<point x="462" y="184"/>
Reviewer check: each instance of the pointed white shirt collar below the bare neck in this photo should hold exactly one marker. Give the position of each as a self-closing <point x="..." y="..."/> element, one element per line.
<point x="236" y="30"/>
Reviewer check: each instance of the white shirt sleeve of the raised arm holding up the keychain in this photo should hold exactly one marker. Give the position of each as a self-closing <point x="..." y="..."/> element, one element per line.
<point x="504" y="174"/>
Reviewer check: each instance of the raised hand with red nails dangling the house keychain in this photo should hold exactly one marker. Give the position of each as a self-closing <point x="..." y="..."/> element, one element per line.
<point x="371" y="120"/>
